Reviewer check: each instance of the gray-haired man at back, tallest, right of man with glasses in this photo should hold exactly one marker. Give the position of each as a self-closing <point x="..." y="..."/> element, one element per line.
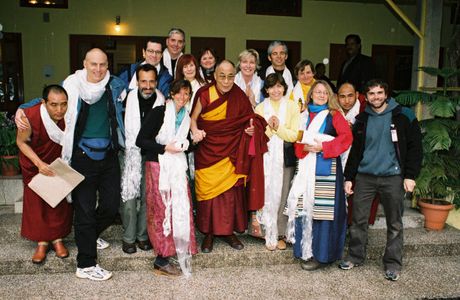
<point x="175" y="43"/>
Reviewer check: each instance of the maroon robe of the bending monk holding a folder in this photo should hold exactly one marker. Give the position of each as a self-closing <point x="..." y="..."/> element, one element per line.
<point x="41" y="222"/>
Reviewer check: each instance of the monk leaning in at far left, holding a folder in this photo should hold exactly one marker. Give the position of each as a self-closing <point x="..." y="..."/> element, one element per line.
<point x="39" y="147"/>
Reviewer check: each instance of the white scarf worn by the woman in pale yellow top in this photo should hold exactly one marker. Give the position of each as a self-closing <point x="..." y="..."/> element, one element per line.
<point x="273" y="169"/>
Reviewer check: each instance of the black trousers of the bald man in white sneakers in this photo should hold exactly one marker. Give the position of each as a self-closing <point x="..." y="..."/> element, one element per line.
<point x="96" y="201"/>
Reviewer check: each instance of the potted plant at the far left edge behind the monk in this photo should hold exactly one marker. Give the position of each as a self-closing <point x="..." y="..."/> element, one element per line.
<point x="8" y="149"/>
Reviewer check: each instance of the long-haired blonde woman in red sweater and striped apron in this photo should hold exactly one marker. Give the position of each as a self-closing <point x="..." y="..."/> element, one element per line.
<point x="316" y="203"/>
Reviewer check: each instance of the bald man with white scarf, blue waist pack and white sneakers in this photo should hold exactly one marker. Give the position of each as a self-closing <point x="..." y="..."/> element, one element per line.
<point x="93" y="135"/>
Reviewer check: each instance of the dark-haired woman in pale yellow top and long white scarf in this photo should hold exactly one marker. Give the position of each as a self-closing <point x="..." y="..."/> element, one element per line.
<point x="282" y="116"/>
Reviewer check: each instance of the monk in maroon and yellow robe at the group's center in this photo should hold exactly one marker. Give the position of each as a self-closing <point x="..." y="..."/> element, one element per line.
<point x="229" y="155"/>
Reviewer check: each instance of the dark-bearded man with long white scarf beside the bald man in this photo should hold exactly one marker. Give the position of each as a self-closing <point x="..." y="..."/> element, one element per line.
<point x="141" y="100"/>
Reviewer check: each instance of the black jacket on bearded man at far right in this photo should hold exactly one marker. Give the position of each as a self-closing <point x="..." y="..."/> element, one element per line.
<point x="408" y="148"/>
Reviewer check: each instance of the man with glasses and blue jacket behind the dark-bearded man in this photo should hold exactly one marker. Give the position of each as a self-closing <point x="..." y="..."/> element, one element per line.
<point x="152" y="54"/>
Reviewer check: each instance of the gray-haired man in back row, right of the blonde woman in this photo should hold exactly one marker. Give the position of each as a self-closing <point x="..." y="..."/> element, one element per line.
<point x="277" y="55"/>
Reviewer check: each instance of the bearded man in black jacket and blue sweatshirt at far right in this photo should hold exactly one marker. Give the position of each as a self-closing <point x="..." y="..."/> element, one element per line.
<point x="385" y="159"/>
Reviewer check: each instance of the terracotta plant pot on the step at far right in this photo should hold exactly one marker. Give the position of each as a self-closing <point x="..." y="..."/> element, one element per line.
<point x="435" y="214"/>
